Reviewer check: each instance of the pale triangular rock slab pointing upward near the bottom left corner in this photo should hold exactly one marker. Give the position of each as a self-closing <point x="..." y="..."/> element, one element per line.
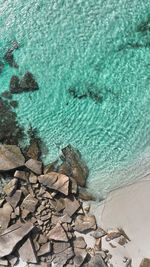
<point x="27" y="252"/>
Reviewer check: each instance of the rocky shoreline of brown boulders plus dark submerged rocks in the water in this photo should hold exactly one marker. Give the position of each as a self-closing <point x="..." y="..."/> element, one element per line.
<point x="43" y="220"/>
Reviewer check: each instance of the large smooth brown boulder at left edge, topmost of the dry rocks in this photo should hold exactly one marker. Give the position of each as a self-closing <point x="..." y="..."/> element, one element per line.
<point x="10" y="157"/>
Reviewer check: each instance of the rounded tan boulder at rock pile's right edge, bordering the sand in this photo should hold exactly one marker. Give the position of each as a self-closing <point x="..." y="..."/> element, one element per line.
<point x="84" y="223"/>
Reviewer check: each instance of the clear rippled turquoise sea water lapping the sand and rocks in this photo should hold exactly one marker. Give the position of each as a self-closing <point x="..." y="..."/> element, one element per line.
<point x="85" y="45"/>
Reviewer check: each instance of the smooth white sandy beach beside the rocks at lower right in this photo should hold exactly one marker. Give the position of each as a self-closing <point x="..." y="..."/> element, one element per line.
<point x="127" y="208"/>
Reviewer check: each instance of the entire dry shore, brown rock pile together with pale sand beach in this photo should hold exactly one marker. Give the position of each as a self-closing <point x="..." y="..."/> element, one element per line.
<point x="52" y="201"/>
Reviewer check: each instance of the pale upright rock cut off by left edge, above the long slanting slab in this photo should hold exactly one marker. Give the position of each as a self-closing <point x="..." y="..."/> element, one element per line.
<point x="5" y="213"/>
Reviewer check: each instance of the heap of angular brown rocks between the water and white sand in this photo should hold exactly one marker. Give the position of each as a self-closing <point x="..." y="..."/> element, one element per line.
<point x="41" y="213"/>
